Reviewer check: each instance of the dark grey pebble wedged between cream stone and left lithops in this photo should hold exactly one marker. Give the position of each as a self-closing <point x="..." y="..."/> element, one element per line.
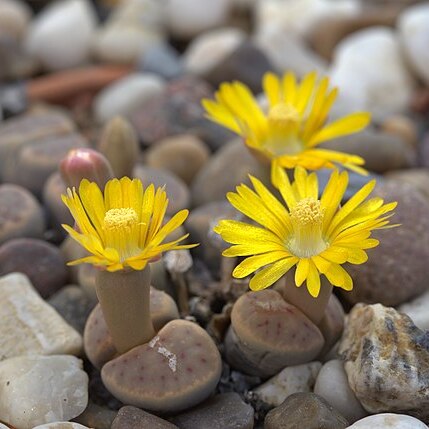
<point x="74" y="305"/>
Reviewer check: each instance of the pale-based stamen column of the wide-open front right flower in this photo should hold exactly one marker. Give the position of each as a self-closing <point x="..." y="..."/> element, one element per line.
<point x="307" y="222"/>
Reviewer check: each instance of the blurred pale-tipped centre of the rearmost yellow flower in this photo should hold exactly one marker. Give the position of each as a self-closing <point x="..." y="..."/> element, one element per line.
<point x="283" y="126"/>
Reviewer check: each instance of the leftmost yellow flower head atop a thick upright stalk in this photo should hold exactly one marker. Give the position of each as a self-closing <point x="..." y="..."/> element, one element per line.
<point x="123" y="228"/>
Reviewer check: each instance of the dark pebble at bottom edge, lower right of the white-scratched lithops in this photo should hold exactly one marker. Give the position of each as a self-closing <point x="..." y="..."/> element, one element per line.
<point x="227" y="410"/>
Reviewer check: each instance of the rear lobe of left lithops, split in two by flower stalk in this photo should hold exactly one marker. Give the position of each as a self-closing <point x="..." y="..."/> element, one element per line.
<point x="98" y="342"/>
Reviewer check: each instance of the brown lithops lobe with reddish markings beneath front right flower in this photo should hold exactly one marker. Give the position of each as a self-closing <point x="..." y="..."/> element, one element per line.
<point x="268" y="334"/>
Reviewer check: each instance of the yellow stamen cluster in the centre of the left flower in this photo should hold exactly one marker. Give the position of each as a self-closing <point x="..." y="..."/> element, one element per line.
<point x="122" y="232"/>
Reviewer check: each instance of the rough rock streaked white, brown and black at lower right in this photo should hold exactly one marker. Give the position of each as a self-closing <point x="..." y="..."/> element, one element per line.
<point x="386" y="361"/>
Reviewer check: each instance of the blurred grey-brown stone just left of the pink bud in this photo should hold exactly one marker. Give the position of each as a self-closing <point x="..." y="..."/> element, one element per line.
<point x="31" y="165"/>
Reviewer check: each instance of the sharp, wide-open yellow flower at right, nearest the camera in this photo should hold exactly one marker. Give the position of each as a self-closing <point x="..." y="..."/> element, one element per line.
<point x="314" y="234"/>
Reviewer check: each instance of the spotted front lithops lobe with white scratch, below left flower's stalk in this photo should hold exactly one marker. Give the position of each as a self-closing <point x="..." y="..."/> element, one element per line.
<point x="177" y="369"/>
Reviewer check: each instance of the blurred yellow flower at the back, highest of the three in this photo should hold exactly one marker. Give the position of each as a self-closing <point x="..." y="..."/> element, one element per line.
<point x="290" y="133"/>
